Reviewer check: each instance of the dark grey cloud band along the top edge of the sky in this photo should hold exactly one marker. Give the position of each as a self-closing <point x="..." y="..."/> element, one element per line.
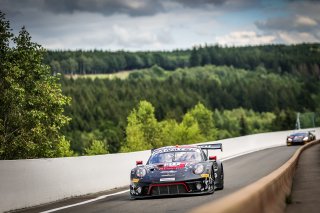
<point x="128" y="7"/>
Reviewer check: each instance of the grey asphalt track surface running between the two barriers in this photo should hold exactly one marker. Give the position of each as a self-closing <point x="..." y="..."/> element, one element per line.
<point x="239" y="172"/>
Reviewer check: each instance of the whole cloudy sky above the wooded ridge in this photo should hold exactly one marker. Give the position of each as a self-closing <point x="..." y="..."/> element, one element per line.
<point x="140" y="25"/>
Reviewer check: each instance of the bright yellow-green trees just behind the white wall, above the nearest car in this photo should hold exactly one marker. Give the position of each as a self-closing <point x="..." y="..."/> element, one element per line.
<point x="199" y="124"/>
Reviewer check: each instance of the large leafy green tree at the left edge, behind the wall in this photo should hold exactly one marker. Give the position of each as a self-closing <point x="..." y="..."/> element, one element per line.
<point x="32" y="104"/>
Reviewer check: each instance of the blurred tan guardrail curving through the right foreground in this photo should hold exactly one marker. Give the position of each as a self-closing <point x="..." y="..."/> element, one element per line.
<point x="268" y="194"/>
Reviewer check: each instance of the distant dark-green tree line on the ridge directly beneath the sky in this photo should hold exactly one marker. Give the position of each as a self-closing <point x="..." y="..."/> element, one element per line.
<point x="303" y="59"/>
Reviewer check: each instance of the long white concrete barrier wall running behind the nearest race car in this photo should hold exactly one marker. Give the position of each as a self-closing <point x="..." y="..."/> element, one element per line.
<point x="26" y="183"/>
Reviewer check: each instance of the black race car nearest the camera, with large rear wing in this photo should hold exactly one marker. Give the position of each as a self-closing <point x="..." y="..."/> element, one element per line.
<point x="178" y="170"/>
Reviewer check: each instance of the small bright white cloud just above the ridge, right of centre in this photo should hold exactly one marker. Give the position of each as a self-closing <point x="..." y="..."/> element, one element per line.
<point x="240" y="38"/>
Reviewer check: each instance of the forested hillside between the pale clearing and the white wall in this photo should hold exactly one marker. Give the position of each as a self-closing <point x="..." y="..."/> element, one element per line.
<point x="238" y="102"/>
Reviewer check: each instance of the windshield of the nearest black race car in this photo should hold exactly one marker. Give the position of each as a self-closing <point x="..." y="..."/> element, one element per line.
<point x="180" y="156"/>
